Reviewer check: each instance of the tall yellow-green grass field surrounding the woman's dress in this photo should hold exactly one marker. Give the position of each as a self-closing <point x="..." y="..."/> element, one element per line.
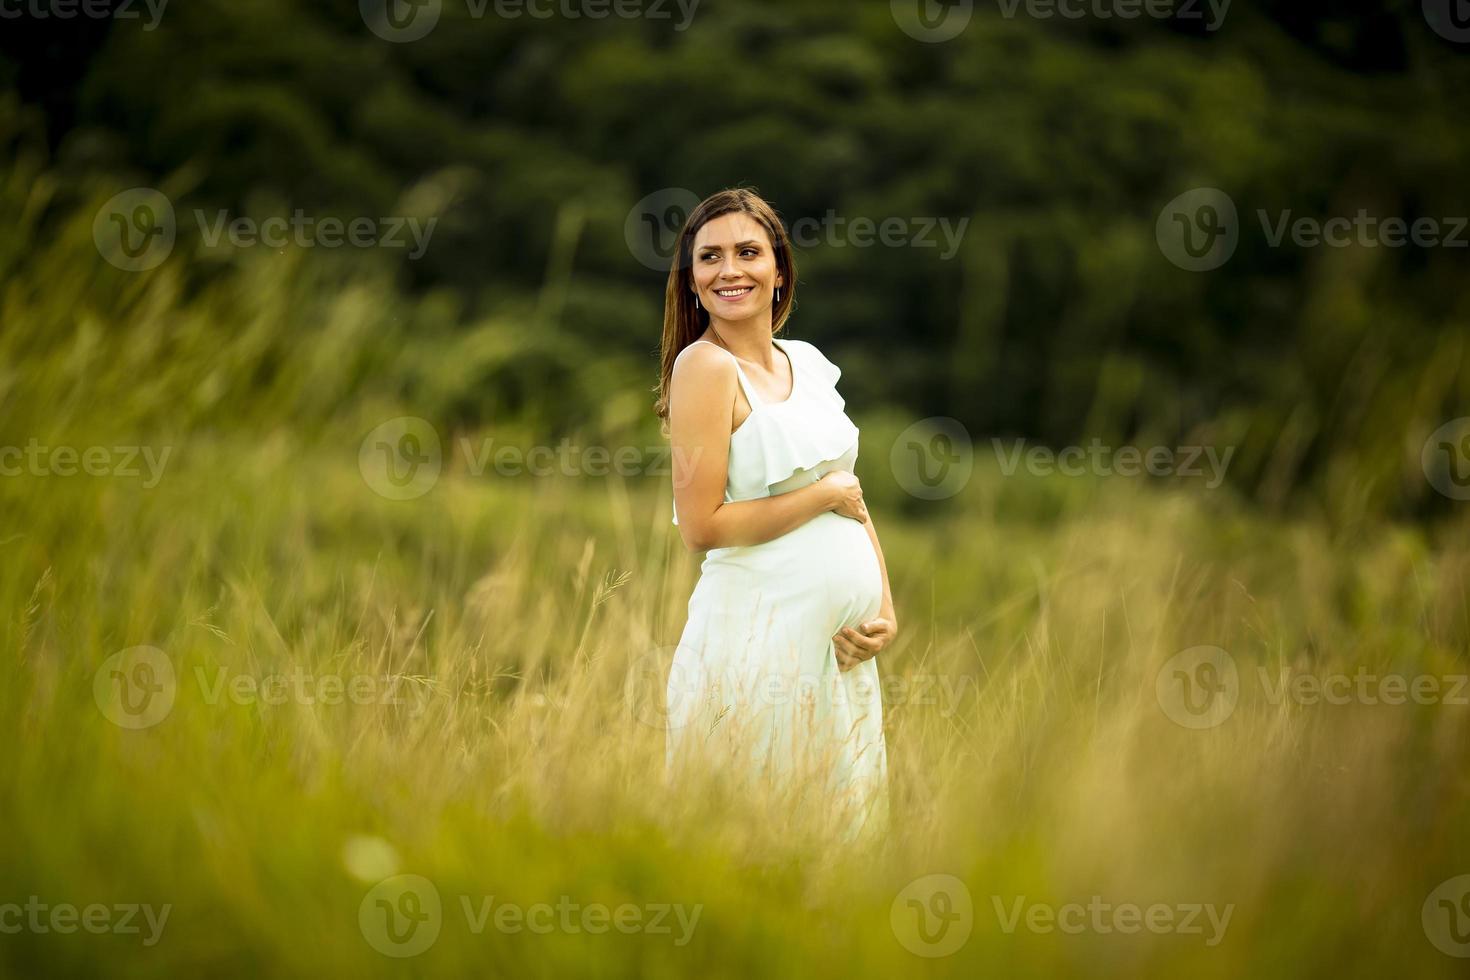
<point x="302" y="716"/>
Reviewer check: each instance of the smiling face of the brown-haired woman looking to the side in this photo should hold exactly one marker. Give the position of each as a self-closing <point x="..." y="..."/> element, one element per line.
<point x="734" y="267"/>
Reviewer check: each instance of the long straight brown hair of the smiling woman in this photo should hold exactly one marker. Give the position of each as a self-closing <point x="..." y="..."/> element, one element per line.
<point x="683" y="321"/>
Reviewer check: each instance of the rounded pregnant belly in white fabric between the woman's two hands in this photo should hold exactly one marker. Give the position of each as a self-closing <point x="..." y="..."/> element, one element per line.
<point x="825" y="569"/>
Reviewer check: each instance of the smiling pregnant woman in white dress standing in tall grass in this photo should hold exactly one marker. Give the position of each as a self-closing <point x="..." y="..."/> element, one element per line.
<point x="774" y="678"/>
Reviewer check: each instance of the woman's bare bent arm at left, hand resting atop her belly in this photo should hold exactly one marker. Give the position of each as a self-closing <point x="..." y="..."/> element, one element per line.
<point x="702" y="394"/>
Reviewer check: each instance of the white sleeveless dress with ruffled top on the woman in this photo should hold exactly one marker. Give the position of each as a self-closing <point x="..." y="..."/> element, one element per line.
<point x="755" y="685"/>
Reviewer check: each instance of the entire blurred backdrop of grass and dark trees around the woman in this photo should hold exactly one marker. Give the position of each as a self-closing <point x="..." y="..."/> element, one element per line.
<point x="549" y="162"/>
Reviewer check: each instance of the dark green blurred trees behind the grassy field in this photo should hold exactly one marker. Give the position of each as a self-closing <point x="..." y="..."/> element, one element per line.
<point x="1059" y="320"/>
